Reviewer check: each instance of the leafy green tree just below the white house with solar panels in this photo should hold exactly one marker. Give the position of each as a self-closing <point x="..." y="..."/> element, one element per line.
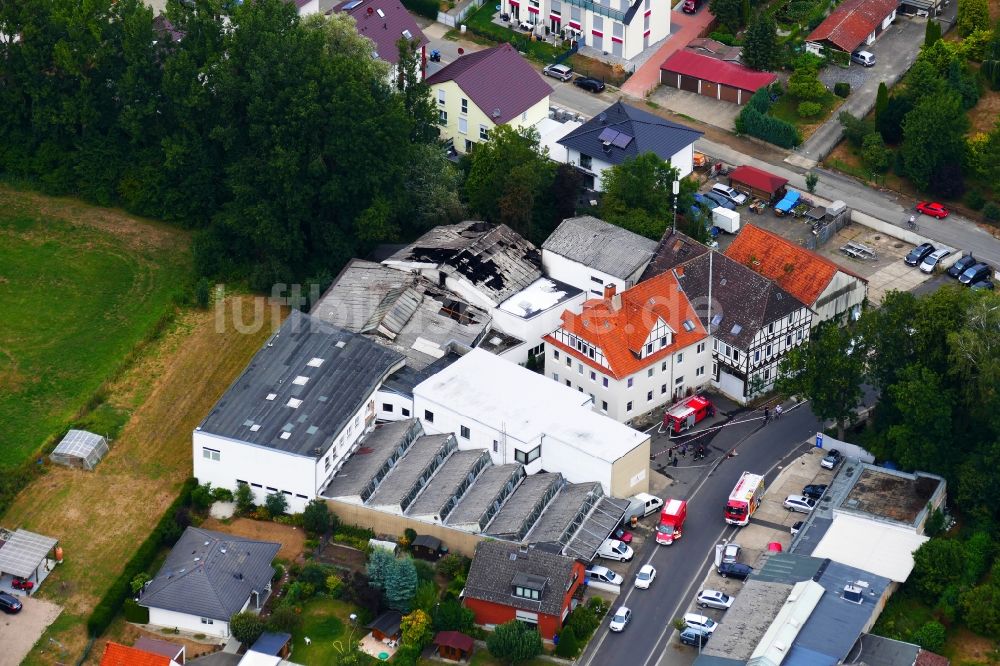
<point x="638" y="195"/>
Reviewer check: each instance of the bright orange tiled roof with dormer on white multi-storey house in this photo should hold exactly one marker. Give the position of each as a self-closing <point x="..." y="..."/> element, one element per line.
<point x="620" y="328"/>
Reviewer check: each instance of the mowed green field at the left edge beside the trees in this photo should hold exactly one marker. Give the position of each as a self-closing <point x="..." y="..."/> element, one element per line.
<point x="80" y="286"/>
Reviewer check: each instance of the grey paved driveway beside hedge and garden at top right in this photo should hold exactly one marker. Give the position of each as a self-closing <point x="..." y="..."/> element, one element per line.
<point x="895" y="50"/>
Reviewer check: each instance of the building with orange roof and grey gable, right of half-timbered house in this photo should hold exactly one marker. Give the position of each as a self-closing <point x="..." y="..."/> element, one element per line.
<point x="831" y="291"/>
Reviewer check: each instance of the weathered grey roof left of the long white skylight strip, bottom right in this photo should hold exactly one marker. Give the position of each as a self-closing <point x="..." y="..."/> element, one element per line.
<point x="744" y="624"/>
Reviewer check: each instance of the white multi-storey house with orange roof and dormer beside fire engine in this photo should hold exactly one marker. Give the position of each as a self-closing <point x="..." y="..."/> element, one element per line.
<point x="634" y="351"/>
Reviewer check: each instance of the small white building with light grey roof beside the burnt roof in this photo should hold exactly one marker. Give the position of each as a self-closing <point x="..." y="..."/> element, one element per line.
<point x="595" y="256"/>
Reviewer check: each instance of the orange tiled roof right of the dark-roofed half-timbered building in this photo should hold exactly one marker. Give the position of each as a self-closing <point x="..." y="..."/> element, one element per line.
<point x="801" y="272"/>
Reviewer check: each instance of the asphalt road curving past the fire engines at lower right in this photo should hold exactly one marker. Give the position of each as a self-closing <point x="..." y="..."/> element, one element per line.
<point x="682" y="567"/>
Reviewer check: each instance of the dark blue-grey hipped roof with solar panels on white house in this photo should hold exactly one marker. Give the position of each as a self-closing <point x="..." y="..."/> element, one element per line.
<point x="646" y="134"/>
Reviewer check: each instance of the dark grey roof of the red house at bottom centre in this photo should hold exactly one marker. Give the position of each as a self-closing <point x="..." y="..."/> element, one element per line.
<point x="498" y="563"/>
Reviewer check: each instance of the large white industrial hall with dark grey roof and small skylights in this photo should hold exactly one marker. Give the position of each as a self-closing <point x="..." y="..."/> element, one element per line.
<point x="296" y="412"/>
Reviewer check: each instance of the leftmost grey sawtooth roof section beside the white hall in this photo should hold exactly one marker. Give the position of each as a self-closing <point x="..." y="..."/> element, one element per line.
<point x="377" y="448"/>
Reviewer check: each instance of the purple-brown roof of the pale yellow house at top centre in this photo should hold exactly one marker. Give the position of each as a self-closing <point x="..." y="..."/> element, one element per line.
<point x="498" y="80"/>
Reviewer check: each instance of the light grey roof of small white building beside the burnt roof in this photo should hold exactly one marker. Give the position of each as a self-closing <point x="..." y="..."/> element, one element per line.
<point x="599" y="245"/>
